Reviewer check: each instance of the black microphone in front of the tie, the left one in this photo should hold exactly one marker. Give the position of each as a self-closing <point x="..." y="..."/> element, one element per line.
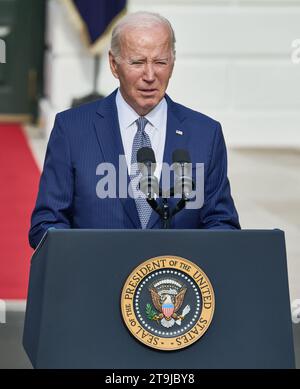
<point x="147" y="165"/>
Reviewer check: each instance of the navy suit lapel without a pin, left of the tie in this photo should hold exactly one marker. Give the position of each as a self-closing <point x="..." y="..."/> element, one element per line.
<point x="110" y="141"/>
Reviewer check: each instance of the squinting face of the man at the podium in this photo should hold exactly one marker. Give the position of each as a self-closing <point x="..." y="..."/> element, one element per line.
<point x="145" y="66"/>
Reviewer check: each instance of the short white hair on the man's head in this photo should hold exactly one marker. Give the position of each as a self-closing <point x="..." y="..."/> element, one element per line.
<point x="135" y="20"/>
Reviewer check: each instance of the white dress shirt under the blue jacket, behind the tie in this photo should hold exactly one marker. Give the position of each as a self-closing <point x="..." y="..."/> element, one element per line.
<point x="156" y="129"/>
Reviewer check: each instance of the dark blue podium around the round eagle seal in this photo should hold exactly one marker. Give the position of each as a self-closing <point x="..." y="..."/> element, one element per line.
<point x="73" y="316"/>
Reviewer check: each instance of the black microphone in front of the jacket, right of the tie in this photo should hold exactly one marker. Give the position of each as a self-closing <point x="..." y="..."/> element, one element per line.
<point x="183" y="173"/>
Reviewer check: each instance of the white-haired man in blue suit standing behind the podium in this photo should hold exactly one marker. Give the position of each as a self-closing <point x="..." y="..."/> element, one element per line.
<point x="137" y="114"/>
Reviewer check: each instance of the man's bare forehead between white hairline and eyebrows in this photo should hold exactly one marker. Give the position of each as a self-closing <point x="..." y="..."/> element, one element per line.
<point x="154" y="40"/>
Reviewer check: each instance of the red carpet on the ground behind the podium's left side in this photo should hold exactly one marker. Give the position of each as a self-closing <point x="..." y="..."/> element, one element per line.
<point x="19" y="177"/>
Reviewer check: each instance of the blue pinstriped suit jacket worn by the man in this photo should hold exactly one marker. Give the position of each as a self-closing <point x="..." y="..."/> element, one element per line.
<point x="84" y="137"/>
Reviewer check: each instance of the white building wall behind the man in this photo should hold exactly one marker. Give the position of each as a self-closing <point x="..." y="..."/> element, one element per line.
<point x="234" y="63"/>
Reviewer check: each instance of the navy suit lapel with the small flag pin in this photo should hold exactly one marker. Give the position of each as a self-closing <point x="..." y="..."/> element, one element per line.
<point x="173" y="141"/>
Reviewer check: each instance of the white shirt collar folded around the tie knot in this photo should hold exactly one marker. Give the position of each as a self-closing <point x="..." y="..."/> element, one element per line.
<point x="127" y="114"/>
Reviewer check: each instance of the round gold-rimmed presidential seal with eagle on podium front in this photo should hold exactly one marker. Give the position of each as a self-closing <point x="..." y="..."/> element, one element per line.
<point x="167" y="303"/>
